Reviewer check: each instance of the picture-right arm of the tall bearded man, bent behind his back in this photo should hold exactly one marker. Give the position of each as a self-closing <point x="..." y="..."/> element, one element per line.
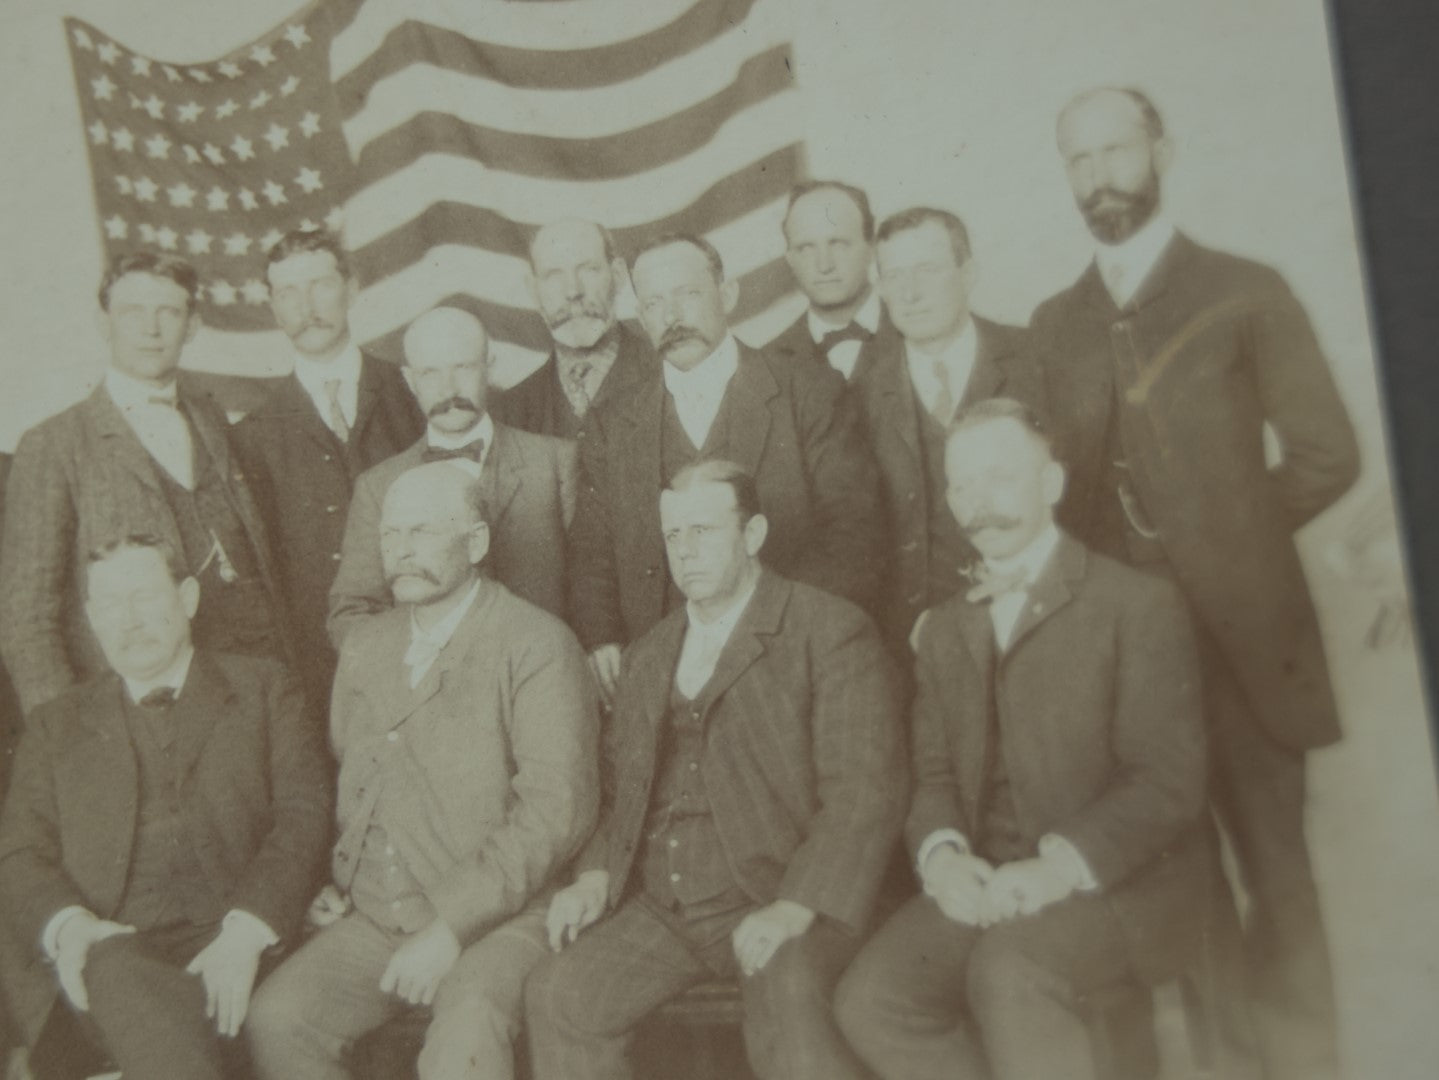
<point x="1320" y="454"/>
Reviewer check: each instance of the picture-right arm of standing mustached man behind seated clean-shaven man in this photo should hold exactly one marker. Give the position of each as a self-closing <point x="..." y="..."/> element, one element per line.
<point x="843" y="553"/>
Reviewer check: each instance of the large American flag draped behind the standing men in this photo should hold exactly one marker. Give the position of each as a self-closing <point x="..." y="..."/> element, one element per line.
<point x="437" y="136"/>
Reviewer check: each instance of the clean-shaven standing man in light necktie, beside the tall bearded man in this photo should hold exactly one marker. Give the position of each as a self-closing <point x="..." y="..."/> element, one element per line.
<point x="939" y="359"/>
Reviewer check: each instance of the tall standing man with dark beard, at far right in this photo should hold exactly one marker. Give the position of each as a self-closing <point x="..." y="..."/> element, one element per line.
<point x="1165" y="366"/>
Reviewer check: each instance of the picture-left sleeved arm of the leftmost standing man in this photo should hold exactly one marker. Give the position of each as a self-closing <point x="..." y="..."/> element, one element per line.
<point x="35" y="572"/>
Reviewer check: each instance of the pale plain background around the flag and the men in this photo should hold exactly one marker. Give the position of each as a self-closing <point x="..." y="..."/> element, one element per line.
<point x="952" y="103"/>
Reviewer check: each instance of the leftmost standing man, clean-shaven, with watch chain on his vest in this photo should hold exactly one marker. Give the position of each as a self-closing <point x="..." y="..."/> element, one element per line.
<point x="139" y="455"/>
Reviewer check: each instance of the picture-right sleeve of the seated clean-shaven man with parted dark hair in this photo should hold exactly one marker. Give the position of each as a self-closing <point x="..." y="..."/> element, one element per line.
<point x="861" y="779"/>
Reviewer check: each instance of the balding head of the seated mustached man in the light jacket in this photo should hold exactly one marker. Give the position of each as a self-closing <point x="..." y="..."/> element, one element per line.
<point x="432" y="534"/>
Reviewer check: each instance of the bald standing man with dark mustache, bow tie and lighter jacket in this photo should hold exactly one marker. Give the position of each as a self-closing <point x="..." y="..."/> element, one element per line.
<point x="527" y="480"/>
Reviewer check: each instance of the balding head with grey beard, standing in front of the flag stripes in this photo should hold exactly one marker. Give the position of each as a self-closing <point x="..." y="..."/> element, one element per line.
<point x="575" y="278"/>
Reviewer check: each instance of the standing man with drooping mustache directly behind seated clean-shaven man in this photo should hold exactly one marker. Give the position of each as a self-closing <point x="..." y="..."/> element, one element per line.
<point x="786" y="425"/>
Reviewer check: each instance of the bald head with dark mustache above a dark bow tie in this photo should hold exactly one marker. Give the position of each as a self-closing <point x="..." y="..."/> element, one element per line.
<point x="447" y="365"/>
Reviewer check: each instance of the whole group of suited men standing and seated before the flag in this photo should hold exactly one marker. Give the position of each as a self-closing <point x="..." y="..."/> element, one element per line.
<point x="635" y="674"/>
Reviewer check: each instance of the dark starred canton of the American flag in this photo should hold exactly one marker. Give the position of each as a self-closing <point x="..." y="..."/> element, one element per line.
<point x="215" y="162"/>
